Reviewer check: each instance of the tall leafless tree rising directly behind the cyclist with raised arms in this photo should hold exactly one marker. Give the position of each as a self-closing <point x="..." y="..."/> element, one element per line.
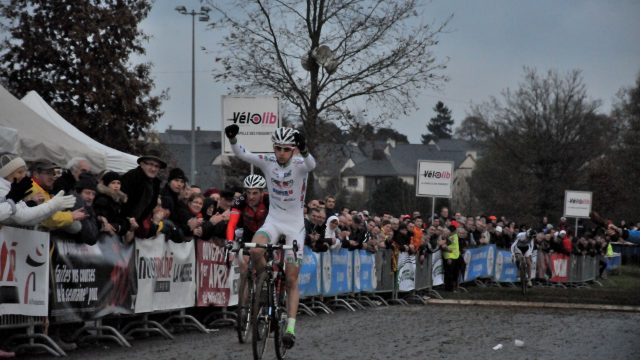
<point x="322" y="55"/>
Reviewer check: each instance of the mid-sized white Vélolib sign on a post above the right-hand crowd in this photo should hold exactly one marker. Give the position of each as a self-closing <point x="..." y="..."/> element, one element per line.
<point x="434" y="179"/>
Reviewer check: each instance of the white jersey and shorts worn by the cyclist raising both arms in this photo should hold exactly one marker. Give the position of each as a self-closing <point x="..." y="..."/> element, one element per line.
<point x="287" y="185"/>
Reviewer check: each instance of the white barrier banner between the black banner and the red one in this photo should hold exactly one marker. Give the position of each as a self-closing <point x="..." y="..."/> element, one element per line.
<point x="166" y="274"/>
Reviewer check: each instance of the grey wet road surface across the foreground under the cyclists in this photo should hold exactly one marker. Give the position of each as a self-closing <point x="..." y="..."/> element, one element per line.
<point x="415" y="332"/>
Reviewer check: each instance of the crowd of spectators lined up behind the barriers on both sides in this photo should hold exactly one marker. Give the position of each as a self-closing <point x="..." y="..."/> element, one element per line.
<point x="77" y="202"/>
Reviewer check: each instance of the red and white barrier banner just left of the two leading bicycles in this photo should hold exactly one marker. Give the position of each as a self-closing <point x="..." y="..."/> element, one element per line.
<point x="218" y="280"/>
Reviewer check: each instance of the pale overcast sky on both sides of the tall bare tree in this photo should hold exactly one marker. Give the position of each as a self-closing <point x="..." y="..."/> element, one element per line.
<point x="488" y="44"/>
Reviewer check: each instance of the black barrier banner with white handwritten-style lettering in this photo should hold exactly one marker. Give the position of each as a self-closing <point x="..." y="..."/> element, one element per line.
<point x="91" y="281"/>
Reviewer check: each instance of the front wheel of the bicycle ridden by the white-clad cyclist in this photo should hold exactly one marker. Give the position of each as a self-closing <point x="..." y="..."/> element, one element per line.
<point x="261" y="319"/>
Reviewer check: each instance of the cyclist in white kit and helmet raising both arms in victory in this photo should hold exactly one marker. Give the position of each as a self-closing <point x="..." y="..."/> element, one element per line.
<point x="286" y="176"/>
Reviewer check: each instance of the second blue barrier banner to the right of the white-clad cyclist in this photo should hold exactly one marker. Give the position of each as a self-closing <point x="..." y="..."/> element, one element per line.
<point x="336" y="272"/>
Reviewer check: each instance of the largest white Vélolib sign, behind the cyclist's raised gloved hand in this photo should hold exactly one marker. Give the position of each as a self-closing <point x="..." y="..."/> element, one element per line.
<point x="257" y="117"/>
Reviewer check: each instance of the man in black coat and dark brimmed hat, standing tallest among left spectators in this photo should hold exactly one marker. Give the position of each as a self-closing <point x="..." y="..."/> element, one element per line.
<point x="142" y="187"/>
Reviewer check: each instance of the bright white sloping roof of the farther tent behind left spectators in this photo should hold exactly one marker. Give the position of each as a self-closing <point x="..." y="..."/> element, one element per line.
<point x="114" y="159"/>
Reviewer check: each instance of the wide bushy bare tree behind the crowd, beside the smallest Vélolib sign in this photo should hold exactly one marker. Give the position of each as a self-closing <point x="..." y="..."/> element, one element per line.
<point x="540" y="138"/>
